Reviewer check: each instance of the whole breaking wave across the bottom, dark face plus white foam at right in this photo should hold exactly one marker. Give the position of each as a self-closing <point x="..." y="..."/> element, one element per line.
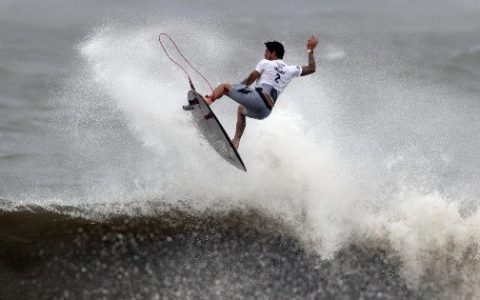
<point x="430" y="253"/>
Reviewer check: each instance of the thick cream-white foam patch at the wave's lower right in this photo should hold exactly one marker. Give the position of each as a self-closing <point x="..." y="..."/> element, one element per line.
<point x="432" y="239"/>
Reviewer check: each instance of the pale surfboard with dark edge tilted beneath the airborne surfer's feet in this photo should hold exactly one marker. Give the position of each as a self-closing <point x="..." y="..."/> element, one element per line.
<point x="212" y="130"/>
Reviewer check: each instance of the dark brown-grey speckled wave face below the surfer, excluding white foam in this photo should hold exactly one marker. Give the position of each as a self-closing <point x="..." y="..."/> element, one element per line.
<point x="51" y="255"/>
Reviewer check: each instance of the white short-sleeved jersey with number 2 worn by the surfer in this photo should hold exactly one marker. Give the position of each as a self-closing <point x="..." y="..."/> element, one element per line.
<point x="276" y="73"/>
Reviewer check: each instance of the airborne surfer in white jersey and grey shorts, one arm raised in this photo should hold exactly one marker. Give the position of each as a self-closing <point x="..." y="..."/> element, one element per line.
<point x="272" y="76"/>
